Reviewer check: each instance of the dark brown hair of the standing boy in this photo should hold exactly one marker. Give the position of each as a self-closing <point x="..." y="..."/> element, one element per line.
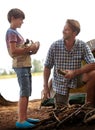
<point x="16" y="13"/>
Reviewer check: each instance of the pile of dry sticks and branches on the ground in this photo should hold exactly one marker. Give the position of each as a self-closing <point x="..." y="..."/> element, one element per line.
<point x="69" y="115"/>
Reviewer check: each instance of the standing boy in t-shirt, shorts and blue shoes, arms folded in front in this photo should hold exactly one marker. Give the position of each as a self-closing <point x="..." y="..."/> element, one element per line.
<point x="21" y="64"/>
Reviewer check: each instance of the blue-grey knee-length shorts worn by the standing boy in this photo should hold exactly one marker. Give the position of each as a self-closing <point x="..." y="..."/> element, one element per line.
<point x="24" y="80"/>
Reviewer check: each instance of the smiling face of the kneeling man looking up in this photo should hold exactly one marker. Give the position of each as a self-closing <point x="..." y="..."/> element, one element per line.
<point x="67" y="32"/>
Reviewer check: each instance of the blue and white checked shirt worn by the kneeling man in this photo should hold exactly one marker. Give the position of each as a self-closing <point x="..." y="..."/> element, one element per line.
<point x="60" y="58"/>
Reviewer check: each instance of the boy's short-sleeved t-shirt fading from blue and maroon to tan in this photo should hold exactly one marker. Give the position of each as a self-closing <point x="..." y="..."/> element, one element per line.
<point x="24" y="60"/>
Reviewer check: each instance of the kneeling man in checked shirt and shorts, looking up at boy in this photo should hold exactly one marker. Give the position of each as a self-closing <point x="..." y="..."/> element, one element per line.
<point x="67" y="54"/>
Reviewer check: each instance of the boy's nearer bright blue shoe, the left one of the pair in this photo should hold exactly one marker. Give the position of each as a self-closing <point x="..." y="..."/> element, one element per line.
<point x="25" y="124"/>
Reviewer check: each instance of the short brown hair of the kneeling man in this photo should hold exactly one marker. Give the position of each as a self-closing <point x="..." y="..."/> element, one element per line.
<point x="74" y="25"/>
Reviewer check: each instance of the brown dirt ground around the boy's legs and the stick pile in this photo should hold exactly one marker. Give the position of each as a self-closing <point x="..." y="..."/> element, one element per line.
<point x="8" y="116"/>
